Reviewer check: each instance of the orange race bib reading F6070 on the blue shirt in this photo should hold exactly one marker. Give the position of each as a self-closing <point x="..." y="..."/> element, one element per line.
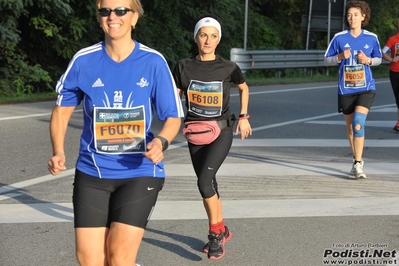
<point x="119" y="131"/>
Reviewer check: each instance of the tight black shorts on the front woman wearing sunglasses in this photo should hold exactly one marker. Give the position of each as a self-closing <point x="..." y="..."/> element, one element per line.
<point x="99" y="202"/>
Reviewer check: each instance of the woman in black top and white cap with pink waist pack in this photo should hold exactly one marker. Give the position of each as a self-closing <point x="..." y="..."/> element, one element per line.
<point x="205" y="81"/>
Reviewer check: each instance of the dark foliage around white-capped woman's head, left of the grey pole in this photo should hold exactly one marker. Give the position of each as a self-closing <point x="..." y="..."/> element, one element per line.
<point x="168" y="25"/>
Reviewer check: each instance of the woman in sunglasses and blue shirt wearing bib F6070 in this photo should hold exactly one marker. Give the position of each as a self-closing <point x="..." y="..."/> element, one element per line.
<point x="119" y="172"/>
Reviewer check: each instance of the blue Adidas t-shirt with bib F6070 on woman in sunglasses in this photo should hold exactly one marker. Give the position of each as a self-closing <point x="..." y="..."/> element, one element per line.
<point x="119" y="100"/>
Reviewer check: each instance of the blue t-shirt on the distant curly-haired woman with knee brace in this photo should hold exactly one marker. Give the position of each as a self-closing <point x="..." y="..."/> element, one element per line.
<point x="353" y="76"/>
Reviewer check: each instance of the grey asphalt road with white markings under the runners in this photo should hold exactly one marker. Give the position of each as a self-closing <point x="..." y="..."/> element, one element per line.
<point x="287" y="195"/>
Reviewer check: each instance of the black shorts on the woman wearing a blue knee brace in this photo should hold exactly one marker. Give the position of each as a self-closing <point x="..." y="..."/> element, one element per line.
<point x="347" y="103"/>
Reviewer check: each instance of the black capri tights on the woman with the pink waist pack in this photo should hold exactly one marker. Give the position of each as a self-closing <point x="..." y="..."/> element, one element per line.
<point x="207" y="159"/>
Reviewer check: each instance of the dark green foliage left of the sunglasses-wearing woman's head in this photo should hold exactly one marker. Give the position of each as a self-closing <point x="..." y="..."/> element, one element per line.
<point x="37" y="39"/>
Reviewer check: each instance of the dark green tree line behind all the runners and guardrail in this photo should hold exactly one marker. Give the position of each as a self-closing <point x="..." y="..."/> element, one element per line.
<point x="39" y="37"/>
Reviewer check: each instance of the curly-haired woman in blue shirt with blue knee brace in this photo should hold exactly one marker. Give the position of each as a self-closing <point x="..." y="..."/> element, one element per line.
<point x="355" y="50"/>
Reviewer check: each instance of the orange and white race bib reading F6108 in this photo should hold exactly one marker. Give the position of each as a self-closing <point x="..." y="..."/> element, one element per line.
<point x="205" y="98"/>
